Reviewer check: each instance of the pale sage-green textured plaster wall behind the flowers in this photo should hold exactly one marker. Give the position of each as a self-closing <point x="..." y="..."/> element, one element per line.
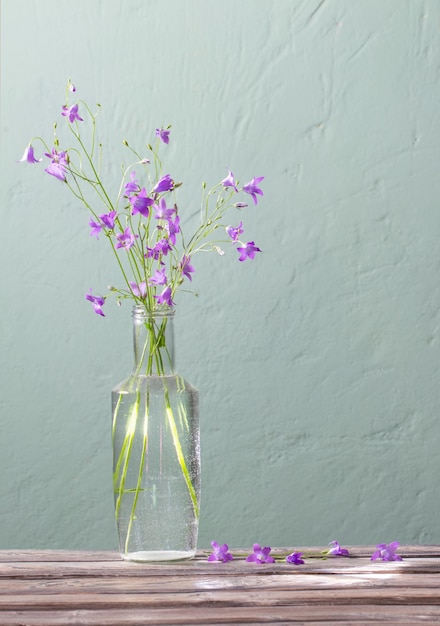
<point x="318" y="363"/>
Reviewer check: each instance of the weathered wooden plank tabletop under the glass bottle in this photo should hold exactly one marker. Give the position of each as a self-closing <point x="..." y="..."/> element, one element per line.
<point x="48" y="588"/>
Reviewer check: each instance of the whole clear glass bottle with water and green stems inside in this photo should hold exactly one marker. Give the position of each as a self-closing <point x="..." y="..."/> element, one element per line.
<point x="156" y="448"/>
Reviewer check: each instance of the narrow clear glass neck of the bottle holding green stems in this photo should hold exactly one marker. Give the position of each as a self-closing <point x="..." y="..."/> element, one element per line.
<point x="153" y="339"/>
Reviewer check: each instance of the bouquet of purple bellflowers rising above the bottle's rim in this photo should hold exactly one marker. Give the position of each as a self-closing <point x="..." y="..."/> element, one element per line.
<point x="142" y="223"/>
